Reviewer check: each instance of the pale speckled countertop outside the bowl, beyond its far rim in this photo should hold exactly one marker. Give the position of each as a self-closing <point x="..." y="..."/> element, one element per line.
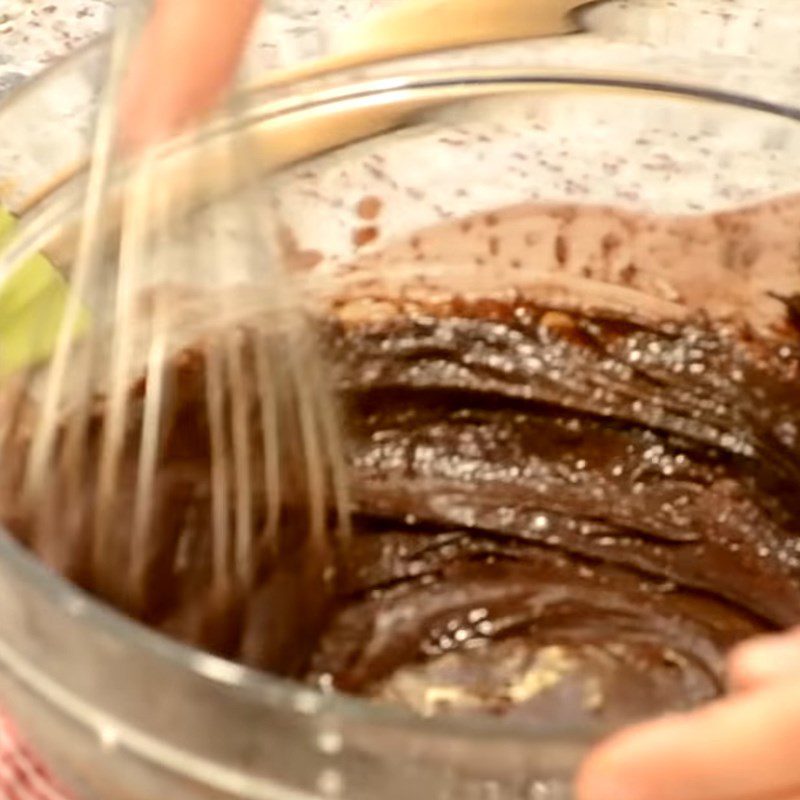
<point x="34" y="32"/>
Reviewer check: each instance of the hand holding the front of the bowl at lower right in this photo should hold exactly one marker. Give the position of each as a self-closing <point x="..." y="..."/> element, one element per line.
<point x="744" y="747"/>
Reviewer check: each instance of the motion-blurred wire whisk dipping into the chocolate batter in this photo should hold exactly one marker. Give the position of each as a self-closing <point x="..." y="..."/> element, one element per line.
<point x="184" y="437"/>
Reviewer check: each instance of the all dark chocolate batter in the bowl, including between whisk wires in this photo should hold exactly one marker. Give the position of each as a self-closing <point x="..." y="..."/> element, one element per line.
<point x="559" y="516"/>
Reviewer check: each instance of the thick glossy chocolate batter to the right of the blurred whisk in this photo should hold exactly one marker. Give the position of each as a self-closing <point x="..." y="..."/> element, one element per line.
<point x="564" y="517"/>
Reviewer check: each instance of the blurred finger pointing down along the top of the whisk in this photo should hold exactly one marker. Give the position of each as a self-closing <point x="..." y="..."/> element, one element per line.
<point x="186" y="58"/>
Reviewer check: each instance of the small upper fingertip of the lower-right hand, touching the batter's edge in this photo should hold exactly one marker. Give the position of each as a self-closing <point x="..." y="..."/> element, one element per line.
<point x="765" y="660"/>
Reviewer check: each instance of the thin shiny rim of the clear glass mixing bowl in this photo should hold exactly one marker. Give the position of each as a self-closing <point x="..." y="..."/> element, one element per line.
<point x="273" y="691"/>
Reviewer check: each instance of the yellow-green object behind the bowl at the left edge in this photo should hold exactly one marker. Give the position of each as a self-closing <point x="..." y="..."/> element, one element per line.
<point x="33" y="298"/>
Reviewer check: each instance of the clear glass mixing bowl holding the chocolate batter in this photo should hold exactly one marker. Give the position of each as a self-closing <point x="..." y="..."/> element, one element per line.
<point x="363" y="161"/>
